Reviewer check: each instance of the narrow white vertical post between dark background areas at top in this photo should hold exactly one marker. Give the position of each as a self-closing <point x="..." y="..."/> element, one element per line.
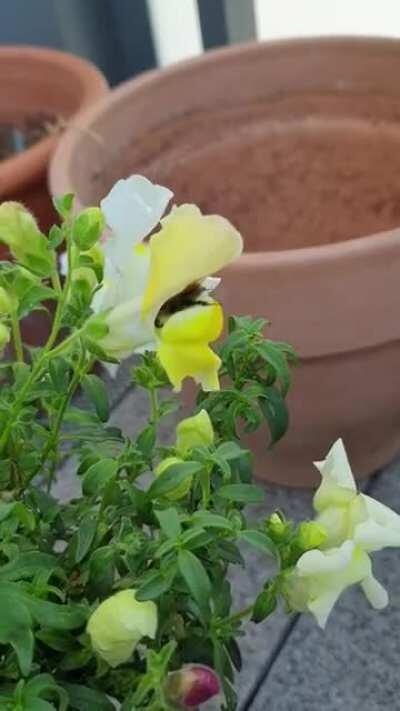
<point x="176" y="29"/>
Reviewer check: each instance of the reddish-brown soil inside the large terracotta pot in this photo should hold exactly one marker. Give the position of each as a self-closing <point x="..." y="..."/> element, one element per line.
<point x="293" y="172"/>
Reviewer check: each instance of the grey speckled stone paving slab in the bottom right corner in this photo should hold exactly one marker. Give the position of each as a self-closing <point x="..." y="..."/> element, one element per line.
<point x="354" y="663"/>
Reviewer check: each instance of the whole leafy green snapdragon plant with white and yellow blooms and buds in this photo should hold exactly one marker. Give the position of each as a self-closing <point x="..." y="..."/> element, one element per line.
<point x="120" y="598"/>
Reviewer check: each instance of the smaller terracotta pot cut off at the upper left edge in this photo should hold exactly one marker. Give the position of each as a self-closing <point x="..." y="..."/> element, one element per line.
<point x="34" y="82"/>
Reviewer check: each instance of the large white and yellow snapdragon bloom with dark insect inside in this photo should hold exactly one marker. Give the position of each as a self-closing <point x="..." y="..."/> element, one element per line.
<point x="156" y="294"/>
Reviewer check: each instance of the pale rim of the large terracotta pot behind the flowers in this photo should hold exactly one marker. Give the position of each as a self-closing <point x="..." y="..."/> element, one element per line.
<point x="59" y="174"/>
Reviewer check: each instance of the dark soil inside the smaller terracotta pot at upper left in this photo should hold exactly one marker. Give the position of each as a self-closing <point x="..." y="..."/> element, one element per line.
<point x="17" y="137"/>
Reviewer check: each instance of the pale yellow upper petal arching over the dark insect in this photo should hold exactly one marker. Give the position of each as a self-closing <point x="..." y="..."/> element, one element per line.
<point x="189" y="247"/>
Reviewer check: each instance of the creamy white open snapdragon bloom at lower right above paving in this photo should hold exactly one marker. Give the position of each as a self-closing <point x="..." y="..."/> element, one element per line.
<point x="355" y="525"/>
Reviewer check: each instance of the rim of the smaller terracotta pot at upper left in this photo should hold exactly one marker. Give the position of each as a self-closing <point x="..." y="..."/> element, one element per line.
<point x="23" y="167"/>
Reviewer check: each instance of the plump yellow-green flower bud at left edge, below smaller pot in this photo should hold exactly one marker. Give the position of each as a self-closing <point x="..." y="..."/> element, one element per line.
<point x="19" y="231"/>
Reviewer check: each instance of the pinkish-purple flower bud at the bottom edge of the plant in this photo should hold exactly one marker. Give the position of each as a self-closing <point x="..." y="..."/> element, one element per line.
<point x="191" y="686"/>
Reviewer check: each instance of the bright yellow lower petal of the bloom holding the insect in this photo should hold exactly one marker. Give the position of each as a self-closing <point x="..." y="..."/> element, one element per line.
<point x="183" y="346"/>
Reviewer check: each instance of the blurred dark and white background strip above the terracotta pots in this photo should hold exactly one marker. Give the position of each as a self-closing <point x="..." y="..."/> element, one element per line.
<point x="125" y="37"/>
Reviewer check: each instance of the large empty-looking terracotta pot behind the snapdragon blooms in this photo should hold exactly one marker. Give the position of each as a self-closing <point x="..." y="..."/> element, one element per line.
<point x="298" y="143"/>
